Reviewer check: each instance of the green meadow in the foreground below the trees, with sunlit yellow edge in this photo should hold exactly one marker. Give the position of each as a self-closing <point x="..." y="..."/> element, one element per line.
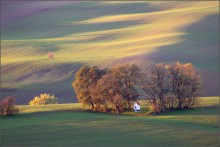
<point x="71" y="125"/>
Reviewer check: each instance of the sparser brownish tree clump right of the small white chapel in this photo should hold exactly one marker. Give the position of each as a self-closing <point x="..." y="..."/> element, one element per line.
<point x="171" y="87"/>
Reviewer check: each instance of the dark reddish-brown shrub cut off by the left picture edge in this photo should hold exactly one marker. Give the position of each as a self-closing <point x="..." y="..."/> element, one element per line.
<point x="7" y="106"/>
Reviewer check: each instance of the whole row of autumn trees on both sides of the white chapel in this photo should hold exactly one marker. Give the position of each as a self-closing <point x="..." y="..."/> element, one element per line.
<point x="166" y="87"/>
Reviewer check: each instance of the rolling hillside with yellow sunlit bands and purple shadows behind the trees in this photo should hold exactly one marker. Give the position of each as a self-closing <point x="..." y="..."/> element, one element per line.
<point x="104" y="34"/>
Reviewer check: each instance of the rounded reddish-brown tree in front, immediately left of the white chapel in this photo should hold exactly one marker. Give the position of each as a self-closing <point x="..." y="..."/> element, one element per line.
<point x="107" y="94"/>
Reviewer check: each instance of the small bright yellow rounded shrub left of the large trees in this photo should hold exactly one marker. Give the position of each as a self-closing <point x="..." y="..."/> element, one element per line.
<point x="44" y="99"/>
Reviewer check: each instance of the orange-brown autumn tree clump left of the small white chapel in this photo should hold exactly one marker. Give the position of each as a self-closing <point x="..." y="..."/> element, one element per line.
<point x="108" y="89"/>
